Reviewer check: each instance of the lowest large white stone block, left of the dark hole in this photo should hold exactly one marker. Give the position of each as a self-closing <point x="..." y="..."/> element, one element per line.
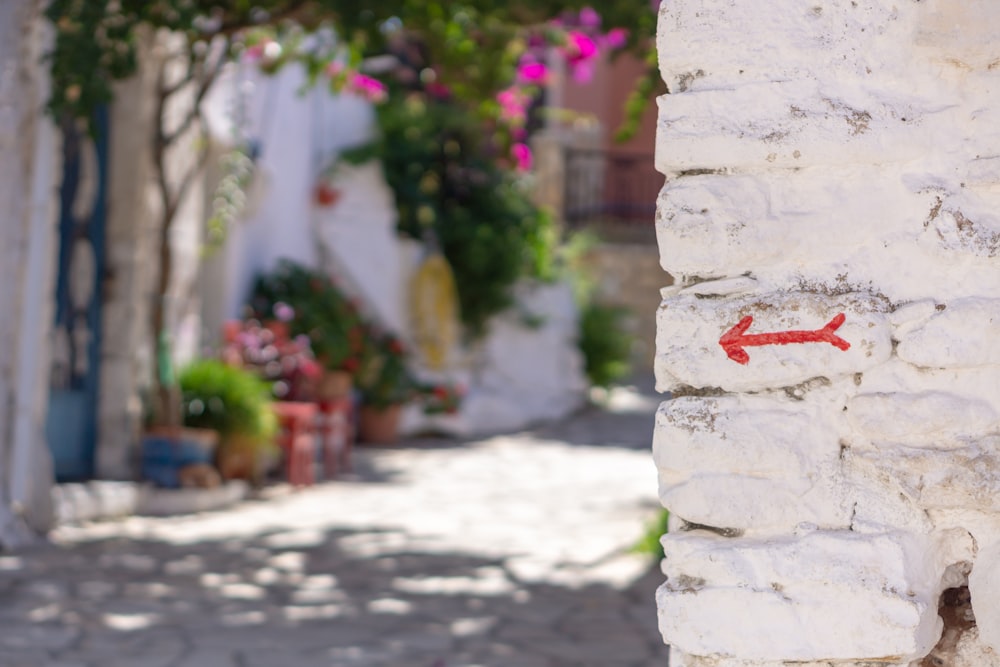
<point x="821" y="596"/>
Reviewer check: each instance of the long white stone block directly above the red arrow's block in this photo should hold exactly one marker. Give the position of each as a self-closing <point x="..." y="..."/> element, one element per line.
<point x="714" y="225"/>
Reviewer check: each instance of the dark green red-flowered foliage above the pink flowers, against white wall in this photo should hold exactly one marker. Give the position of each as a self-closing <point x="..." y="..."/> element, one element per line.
<point x="336" y="331"/>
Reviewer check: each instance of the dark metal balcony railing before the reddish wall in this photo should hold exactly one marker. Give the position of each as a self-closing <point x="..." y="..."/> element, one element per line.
<point x="609" y="189"/>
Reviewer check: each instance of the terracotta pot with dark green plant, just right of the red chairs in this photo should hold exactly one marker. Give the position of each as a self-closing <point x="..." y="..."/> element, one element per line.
<point x="386" y="384"/>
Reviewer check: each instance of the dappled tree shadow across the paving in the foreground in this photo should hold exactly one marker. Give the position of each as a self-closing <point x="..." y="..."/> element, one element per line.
<point x="337" y="598"/>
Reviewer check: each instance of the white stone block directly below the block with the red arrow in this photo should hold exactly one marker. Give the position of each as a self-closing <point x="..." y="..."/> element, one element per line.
<point x="749" y="462"/>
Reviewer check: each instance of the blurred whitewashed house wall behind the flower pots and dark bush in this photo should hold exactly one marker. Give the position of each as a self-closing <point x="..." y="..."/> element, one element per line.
<point x="516" y="376"/>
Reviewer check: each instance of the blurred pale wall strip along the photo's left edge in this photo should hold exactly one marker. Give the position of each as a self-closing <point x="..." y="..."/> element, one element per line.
<point x="28" y="168"/>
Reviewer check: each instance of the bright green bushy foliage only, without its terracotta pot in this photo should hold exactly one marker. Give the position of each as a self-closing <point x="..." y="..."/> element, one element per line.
<point x="228" y="399"/>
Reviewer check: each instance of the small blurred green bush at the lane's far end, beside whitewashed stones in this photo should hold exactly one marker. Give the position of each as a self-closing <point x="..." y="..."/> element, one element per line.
<point x="605" y="343"/>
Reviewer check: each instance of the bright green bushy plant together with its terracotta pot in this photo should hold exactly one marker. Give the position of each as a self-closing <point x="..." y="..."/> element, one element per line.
<point x="236" y="403"/>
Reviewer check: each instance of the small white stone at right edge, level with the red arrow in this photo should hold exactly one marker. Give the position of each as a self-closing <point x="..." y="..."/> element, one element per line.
<point x="963" y="333"/>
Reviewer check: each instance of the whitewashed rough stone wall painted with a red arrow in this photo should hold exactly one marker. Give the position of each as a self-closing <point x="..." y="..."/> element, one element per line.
<point x="833" y="171"/>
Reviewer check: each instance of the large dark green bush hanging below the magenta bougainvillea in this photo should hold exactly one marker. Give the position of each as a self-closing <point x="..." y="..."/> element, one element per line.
<point x="449" y="189"/>
